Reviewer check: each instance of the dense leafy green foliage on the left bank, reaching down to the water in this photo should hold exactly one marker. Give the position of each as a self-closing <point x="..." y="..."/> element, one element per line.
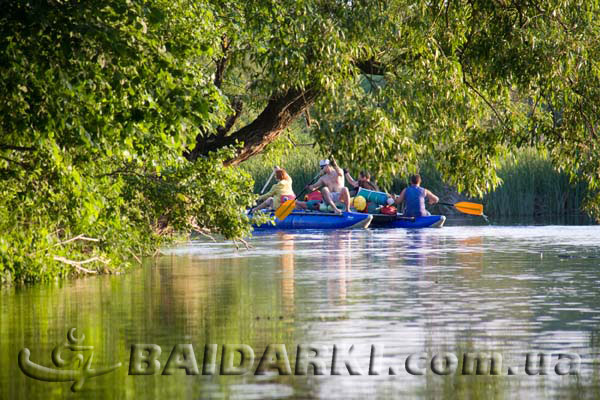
<point x="98" y="103"/>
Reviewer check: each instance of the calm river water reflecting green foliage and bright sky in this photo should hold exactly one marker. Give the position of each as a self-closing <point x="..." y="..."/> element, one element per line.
<point x="433" y="297"/>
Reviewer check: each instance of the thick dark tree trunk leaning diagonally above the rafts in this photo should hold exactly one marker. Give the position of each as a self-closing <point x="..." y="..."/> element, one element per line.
<point x="279" y="113"/>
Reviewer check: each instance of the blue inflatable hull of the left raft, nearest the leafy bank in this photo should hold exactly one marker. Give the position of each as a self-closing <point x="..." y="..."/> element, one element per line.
<point x="319" y="220"/>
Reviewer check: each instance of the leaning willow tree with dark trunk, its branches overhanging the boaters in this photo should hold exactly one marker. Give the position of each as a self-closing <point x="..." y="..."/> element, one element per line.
<point x="464" y="82"/>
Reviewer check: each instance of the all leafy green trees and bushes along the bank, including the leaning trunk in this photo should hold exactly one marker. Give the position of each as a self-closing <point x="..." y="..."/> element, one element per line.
<point x="122" y="123"/>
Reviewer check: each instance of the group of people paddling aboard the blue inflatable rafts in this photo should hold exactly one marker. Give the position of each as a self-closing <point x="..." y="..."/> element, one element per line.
<point x="331" y="184"/>
